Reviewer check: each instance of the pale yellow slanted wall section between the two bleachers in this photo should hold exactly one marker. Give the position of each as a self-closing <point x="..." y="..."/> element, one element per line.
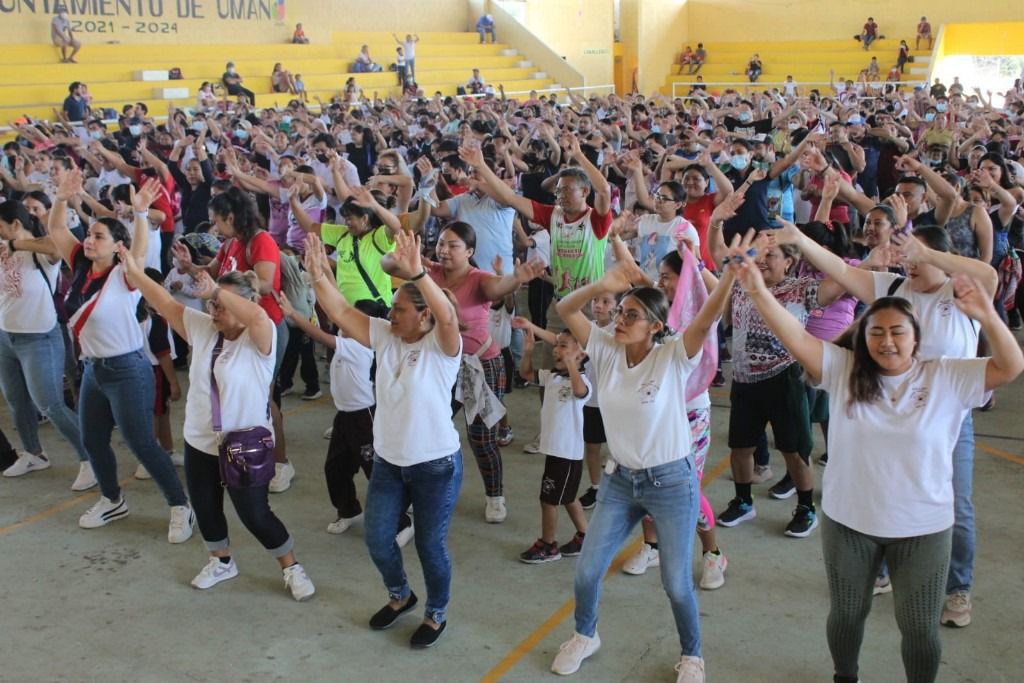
<point x="580" y="31"/>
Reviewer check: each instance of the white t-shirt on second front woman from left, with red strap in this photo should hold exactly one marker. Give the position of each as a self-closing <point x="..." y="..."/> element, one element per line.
<point x="106" y="325"/>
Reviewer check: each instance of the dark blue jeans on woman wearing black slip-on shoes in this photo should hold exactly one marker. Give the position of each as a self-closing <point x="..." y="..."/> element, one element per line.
<point x="433" y="488"/>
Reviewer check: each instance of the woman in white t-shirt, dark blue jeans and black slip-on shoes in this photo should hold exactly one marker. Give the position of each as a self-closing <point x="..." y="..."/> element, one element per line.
<point x="416" y="446"/>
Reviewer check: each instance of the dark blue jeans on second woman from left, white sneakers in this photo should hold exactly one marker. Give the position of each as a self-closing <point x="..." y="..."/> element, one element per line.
<point x="120" y="391"/>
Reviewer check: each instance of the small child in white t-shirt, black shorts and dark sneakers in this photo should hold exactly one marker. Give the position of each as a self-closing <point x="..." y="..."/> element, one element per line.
<point x="566" y="392"/>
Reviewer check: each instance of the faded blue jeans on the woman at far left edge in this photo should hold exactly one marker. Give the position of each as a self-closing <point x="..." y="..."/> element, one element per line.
<point x="32" y="377"/>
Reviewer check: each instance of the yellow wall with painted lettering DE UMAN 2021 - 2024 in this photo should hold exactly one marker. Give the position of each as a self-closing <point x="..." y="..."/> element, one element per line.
<point x="226" y="21"/>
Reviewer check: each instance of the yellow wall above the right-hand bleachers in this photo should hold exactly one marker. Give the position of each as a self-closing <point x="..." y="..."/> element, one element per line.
<point x="713" y="21"/>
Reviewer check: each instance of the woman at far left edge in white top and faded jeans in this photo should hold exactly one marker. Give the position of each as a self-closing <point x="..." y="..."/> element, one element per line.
<point x="32" y="348"/>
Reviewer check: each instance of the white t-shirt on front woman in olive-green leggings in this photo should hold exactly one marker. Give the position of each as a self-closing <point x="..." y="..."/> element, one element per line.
<point x="890" y="463"/>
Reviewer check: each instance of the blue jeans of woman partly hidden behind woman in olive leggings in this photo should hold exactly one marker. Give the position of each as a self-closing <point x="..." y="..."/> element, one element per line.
<point x="962" y="560"/>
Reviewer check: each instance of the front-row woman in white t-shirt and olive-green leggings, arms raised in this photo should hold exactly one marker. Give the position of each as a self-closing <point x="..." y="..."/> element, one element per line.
<point x="888" y="491"/>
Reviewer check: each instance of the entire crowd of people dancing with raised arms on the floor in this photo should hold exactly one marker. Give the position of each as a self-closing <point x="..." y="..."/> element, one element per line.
<point x="855" y="258"/>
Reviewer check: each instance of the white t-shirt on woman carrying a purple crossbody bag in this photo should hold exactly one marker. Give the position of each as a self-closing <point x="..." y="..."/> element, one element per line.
<point x="243" y="382"/>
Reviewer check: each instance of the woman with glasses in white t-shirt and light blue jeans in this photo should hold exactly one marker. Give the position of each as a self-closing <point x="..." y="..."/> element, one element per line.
<point x="642" y="373"/>
